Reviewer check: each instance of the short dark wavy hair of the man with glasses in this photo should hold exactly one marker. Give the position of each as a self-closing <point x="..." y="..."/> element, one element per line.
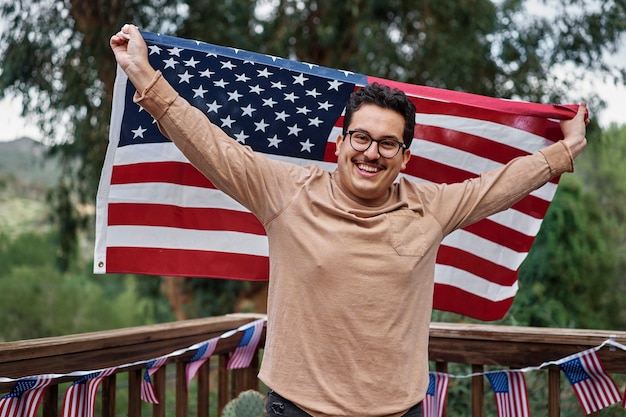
<point x="387" y="98"/>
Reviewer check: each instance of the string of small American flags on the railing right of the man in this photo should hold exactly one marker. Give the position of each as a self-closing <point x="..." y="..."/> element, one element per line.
<point x="593" y="387"/>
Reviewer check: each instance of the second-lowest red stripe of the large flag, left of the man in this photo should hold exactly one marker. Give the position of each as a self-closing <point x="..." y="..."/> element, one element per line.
<point x="194" y="218"/>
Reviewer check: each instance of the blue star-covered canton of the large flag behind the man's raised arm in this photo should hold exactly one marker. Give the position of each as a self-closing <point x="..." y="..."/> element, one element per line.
<point x="287" y="110"/>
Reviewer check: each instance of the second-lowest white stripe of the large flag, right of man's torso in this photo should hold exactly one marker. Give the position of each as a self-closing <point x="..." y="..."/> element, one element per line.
<point x="486" y="249"/>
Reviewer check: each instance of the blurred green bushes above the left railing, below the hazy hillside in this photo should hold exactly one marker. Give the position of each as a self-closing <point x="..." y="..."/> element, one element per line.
<point x="36" y="300"/>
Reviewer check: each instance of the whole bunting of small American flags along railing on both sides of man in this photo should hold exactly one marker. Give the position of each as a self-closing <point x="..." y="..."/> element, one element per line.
<point x="593" y="387"/>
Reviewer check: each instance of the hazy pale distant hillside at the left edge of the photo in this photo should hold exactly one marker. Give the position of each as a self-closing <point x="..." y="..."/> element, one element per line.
<point x="26" y="175"/>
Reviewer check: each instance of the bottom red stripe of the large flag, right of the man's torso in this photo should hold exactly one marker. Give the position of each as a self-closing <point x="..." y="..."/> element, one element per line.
<point x="455" y="300"/>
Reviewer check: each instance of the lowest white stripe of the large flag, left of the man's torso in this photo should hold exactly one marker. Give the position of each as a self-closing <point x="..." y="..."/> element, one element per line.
<point x="173" y="238"/>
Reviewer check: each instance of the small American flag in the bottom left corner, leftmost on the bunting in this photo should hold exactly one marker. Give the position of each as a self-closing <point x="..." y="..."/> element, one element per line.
<point x="25" y="397"/>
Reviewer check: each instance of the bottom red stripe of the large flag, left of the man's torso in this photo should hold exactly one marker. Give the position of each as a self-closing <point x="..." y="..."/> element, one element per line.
<point x="187" y="263"/>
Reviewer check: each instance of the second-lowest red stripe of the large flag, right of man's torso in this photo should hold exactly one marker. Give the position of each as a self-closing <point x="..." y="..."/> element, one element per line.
<point x="476" y="265"/>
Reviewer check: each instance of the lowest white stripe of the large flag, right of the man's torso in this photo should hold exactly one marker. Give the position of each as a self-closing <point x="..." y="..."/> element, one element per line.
<point x="473" y="284"/>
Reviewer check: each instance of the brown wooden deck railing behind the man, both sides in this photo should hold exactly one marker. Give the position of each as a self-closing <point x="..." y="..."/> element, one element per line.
<point x="479" y="346"/>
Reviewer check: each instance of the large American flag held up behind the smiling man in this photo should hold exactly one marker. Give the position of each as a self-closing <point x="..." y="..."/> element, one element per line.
<point x="157" y="215"/>
